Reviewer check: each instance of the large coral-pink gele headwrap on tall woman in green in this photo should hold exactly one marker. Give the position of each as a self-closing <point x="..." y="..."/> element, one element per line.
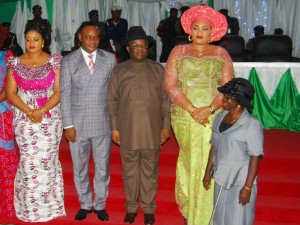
<point x="205" y="13"/>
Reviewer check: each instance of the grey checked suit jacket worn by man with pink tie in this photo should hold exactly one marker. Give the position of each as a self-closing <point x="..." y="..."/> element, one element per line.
<point x="83" y="96"/>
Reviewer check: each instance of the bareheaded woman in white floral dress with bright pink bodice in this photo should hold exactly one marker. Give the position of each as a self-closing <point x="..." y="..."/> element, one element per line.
<point x="33" y="89"/>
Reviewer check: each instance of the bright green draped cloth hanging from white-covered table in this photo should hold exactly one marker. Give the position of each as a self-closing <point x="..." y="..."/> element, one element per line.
<point x="283" y="110"/>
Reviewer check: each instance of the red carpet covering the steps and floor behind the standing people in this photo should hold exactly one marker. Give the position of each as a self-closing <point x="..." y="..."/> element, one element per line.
<point x="278" y="200"/>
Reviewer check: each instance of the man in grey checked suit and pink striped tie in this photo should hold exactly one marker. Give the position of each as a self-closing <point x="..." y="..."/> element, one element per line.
<point x="84" y="80"/>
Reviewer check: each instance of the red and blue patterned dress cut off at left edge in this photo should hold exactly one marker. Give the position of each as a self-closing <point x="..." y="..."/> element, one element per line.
<point x="8" y="152"/>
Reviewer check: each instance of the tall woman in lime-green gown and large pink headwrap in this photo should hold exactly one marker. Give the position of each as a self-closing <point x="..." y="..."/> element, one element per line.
<point x="193" y="73"/>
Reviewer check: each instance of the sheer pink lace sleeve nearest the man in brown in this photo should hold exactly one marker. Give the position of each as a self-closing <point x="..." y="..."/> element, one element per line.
<point x="171" y="78"/>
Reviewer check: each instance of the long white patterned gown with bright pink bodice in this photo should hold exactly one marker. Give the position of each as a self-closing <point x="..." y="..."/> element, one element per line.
<point x="39" y="193"/>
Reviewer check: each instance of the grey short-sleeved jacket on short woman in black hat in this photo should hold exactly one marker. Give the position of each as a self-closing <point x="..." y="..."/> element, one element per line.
<point x="233" y="148"/>
